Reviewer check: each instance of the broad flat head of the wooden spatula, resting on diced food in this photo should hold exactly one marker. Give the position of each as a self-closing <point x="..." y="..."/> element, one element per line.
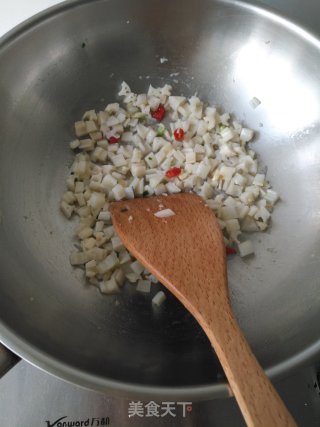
<point x="185" y="251"/>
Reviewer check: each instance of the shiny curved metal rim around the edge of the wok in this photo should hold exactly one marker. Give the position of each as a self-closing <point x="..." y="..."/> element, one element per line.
<point x="44" y="361"/>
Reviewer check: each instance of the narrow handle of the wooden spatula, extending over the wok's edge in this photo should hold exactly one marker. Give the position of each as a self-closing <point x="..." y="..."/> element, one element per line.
<point x="260" y="404"/>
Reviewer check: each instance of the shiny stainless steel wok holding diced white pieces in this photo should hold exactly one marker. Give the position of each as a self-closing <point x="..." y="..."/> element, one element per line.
<point x="72" y="58"/>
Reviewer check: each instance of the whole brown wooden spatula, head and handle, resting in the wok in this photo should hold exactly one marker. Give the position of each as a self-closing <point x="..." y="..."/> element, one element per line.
<point x="186" y="252"/>
